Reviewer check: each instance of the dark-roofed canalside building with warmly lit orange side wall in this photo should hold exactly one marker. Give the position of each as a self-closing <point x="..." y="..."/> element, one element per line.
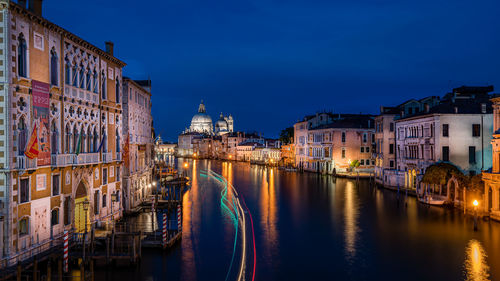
<point x="328" y="143"/>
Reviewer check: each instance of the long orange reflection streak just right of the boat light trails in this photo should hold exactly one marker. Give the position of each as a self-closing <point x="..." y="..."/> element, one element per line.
<point x="268" y="210"/>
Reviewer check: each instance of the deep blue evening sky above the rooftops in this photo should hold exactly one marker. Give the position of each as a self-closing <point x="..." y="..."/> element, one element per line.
<point x="270" y="62"/>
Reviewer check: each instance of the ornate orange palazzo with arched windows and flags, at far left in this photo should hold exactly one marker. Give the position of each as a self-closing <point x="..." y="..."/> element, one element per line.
<point x="70" y="90"/>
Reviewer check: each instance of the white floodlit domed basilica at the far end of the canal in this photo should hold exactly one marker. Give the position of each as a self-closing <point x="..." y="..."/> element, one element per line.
<point x="202" y="123"/>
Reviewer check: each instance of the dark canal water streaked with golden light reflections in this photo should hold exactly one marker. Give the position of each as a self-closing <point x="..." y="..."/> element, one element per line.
<point x="313" y="227"/>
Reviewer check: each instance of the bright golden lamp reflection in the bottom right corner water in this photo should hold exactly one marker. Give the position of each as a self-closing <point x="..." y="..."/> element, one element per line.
<point x="476" y="267"/>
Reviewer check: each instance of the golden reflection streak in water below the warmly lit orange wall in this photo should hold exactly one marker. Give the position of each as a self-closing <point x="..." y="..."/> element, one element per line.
<point x="351" y="216"/>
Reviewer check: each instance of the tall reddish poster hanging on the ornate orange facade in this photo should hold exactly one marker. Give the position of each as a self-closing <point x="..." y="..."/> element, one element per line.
<point x="41" y="119"/>
